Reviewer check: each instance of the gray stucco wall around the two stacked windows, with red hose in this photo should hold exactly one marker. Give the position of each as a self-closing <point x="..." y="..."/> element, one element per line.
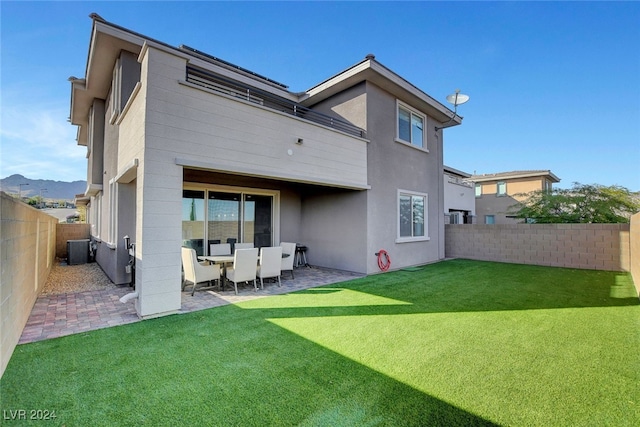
<point x="396" y="166"/>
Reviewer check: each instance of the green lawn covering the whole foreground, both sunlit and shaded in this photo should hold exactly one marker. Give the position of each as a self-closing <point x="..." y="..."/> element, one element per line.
<point x="454" y="343"/>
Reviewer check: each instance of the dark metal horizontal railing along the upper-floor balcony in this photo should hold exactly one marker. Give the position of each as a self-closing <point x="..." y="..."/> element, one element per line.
<point x="229" y="87"/>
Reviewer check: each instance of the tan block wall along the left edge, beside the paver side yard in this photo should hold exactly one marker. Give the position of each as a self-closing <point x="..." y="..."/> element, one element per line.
<point x="27" y="254"/>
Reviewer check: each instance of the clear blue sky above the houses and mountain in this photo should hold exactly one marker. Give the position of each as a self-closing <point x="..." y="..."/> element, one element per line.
<point x="553" y="85"/>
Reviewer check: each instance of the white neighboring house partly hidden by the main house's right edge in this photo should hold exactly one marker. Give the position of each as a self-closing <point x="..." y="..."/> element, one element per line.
<point x="459" y="197"/>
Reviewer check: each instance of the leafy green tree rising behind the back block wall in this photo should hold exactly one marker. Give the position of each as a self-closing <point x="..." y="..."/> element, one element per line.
<point x="583" y="203"/>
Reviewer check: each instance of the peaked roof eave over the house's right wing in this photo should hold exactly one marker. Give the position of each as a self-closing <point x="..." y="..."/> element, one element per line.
<point x="372" y="71"/>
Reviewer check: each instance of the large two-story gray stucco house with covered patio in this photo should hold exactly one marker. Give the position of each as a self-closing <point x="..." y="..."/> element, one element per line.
<point x="187" y="149"/>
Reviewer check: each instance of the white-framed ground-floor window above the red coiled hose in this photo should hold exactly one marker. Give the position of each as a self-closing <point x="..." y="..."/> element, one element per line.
<point x="412" y="209"/>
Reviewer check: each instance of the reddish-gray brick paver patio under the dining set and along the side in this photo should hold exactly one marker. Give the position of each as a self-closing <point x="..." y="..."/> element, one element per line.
<point x="60" y="314"/>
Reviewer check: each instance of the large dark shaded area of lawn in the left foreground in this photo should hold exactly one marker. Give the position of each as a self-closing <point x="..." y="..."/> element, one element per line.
<point x="219" y="367"/>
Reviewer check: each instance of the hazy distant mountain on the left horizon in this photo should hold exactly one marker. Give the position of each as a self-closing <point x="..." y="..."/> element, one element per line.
<point x="57" y="190"/>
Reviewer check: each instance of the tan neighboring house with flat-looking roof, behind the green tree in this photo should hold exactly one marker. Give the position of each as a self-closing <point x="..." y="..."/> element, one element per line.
<point x="496" y="193"/>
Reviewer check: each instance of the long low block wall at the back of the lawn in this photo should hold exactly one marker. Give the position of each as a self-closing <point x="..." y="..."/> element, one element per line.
<point x="587" y="246"/>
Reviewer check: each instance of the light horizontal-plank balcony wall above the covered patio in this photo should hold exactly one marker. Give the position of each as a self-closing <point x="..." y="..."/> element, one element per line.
<point x="215" y="131"/>
